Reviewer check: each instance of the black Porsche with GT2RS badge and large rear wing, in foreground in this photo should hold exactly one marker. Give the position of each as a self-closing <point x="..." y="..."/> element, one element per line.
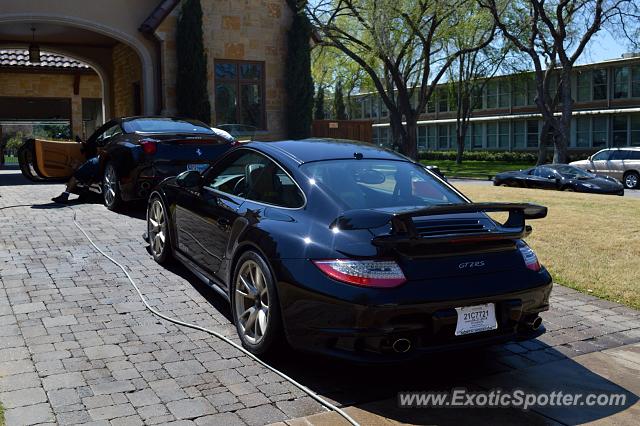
<point x="350" y="250"/>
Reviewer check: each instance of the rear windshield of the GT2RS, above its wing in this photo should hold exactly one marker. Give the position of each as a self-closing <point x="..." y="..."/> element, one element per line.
<point x="370" y="184"/>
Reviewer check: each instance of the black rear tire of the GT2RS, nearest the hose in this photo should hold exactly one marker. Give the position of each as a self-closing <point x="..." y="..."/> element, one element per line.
<point x="271" y="335"/>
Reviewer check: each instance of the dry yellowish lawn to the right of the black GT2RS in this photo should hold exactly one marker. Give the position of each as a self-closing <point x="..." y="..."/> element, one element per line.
<point x="588" y="242"/>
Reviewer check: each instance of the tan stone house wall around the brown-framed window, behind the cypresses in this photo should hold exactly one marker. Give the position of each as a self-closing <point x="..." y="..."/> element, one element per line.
<point x="253" y="30"/>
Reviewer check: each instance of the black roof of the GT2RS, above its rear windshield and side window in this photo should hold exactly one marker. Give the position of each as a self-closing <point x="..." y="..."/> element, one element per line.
<point x="319" y="149"/>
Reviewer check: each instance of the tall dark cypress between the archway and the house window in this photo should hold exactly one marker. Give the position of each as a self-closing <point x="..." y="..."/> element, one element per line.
<point x="192" y="97"/>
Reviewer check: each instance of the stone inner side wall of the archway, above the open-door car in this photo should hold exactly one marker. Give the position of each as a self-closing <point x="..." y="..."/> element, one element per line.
<point x="127" y="72"/>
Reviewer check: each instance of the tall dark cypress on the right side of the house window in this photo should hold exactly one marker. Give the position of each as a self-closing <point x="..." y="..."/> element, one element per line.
<point x="298" y="81"/>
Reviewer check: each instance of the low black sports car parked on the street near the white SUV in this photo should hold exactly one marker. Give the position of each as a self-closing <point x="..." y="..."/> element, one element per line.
<point x="560" y="177"/>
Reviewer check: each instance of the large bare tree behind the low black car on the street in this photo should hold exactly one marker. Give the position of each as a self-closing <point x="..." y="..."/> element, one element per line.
<point x="554" y="34"/>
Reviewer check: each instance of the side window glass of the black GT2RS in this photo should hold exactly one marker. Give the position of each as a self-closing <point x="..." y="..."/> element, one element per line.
<point x="253" y="176"/>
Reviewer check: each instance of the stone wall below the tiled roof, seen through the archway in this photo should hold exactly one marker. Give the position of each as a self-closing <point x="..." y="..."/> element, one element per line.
<point x="31" y="85"/>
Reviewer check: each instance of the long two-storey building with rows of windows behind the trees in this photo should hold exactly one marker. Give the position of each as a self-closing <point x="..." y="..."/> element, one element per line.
<point x="606" y="112"/>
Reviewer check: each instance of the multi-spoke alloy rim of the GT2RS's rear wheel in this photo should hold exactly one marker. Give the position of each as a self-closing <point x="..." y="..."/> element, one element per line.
<point x="251" y="302"/>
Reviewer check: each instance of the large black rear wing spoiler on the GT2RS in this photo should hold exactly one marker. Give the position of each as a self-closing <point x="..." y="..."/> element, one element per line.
<point x="404" y="229"/>
